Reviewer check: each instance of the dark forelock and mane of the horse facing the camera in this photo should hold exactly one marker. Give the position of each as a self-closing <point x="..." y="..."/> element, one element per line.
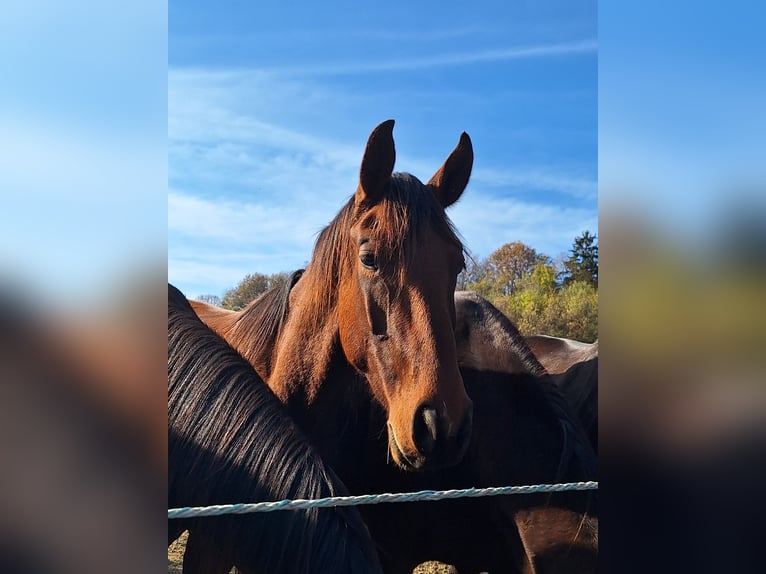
<point x="408" y="208"/>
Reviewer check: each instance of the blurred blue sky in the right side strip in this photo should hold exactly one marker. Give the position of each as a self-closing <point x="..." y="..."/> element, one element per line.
<point x="681" y="114"/>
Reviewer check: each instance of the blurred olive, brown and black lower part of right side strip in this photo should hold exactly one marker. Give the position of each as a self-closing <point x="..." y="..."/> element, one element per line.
<point x="682" y="400"/>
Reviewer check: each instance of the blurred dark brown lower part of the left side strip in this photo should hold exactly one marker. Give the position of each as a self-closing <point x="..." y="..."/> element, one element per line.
<point x="82" y="487"/>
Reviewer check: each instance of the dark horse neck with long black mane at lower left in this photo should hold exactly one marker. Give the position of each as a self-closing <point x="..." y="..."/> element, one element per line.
<point x="230" y="441"/>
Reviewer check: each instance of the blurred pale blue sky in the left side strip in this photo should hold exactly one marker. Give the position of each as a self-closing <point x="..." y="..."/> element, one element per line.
<point x="83" y="155"/>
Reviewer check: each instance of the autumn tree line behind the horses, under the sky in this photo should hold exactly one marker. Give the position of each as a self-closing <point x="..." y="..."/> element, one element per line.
<point x="539" y="294"/>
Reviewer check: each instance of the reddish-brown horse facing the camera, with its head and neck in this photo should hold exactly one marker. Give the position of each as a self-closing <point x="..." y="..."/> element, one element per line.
<point x="374" y="305"/>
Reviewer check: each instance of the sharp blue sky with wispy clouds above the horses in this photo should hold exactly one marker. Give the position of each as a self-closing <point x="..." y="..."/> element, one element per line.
<point x="269" y="109"/>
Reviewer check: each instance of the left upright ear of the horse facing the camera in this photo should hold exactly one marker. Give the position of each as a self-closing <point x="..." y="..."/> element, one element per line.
<point x="377" y="164"/>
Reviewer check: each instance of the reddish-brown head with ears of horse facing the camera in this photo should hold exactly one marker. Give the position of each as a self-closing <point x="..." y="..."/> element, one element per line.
<point x="396" y="308"/>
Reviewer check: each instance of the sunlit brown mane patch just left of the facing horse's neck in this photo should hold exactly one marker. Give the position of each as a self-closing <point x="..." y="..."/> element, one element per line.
<point x="260" y="323"/>
